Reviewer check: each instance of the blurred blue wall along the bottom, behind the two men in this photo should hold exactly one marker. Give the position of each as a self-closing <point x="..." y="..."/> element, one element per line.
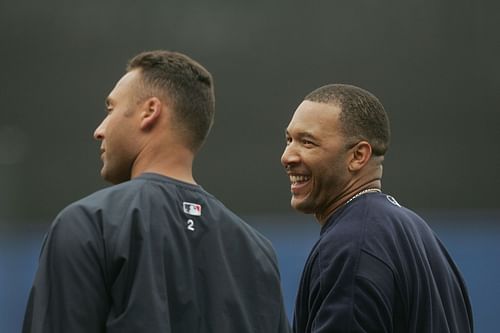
<point x="471" y="238"/>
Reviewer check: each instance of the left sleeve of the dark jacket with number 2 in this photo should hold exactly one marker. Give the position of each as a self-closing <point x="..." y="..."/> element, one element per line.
<point x="69" y="293"/>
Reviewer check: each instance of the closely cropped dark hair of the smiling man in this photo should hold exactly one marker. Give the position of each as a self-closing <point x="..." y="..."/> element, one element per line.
<point x="362" y="116"/>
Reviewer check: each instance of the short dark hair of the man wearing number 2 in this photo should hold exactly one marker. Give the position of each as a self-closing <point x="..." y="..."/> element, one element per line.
<point x="186" y="84"/>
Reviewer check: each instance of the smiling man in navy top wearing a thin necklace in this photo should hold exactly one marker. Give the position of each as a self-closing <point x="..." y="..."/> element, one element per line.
<point x="377" y="266"/>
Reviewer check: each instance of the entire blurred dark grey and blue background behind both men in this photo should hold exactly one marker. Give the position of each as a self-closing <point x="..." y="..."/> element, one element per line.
<point x="433" y="64"/>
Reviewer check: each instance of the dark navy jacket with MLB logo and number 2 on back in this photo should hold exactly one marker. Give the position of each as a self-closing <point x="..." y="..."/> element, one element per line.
<point x="154" y="255"/>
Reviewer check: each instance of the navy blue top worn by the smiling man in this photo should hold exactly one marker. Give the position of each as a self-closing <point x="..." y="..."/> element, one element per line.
<point x="378" y="267"/>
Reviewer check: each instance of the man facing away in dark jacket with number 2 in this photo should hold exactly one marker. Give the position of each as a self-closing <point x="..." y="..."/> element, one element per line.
<point x="156" y="252"/>
